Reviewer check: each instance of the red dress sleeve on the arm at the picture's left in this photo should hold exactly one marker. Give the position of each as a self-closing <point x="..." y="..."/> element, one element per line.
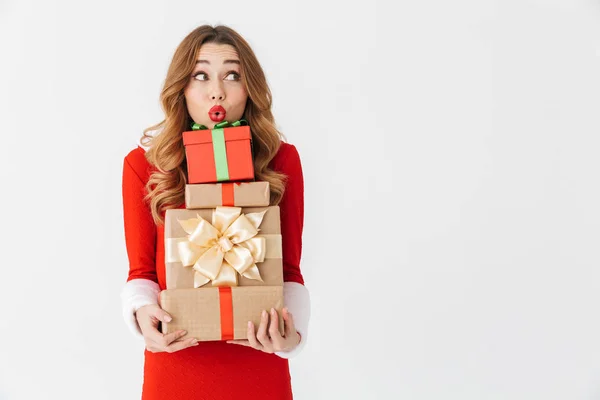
<point x="140" y="229"/>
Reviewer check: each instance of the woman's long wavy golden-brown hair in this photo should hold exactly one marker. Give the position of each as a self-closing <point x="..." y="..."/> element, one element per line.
<point x="166" y="185"/>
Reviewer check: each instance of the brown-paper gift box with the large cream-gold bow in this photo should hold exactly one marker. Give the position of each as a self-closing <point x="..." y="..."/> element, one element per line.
<point x="238" y="247"/>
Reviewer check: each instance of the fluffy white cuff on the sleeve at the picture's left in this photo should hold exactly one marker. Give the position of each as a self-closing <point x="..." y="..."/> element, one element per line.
<point x="135" y="294"/>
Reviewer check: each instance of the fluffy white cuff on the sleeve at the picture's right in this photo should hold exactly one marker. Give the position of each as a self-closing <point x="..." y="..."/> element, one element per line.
<point x="296" y="298"/>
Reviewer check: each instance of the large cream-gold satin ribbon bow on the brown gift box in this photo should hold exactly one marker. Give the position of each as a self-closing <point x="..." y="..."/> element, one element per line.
<point x="227" y="246"/>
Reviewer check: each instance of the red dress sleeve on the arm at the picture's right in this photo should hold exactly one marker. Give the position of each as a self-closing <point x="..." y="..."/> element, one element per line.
<point x="292" y="216"/>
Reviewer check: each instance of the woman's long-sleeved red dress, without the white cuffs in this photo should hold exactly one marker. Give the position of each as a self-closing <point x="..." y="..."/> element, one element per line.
<point x="211" y="370"/>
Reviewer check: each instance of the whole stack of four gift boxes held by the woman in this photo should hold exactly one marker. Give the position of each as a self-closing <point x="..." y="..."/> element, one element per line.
<point x="223" y="252"/>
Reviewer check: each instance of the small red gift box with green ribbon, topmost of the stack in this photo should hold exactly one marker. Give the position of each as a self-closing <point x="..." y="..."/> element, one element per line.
<point x="219" y="155"/>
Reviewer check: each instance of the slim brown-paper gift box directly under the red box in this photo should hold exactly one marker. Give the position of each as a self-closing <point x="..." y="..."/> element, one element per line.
<point x="238" y="194"/>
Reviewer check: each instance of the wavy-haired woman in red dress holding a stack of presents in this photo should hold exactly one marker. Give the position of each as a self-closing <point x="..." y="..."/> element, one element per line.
<point x="213" y="76"/>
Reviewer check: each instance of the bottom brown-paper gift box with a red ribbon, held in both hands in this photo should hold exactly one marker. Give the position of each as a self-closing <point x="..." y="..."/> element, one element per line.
<point x="219" y="313"/>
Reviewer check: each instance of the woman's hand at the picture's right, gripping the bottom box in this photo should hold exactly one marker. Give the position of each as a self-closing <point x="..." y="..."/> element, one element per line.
<point x="271" y="340"/>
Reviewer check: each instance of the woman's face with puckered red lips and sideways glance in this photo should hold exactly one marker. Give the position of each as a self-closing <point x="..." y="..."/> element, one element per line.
<point x="215" y="91"/>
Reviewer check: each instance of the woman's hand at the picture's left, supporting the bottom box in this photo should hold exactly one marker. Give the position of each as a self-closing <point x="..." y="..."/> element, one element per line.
<point x="148" y="318"/>
